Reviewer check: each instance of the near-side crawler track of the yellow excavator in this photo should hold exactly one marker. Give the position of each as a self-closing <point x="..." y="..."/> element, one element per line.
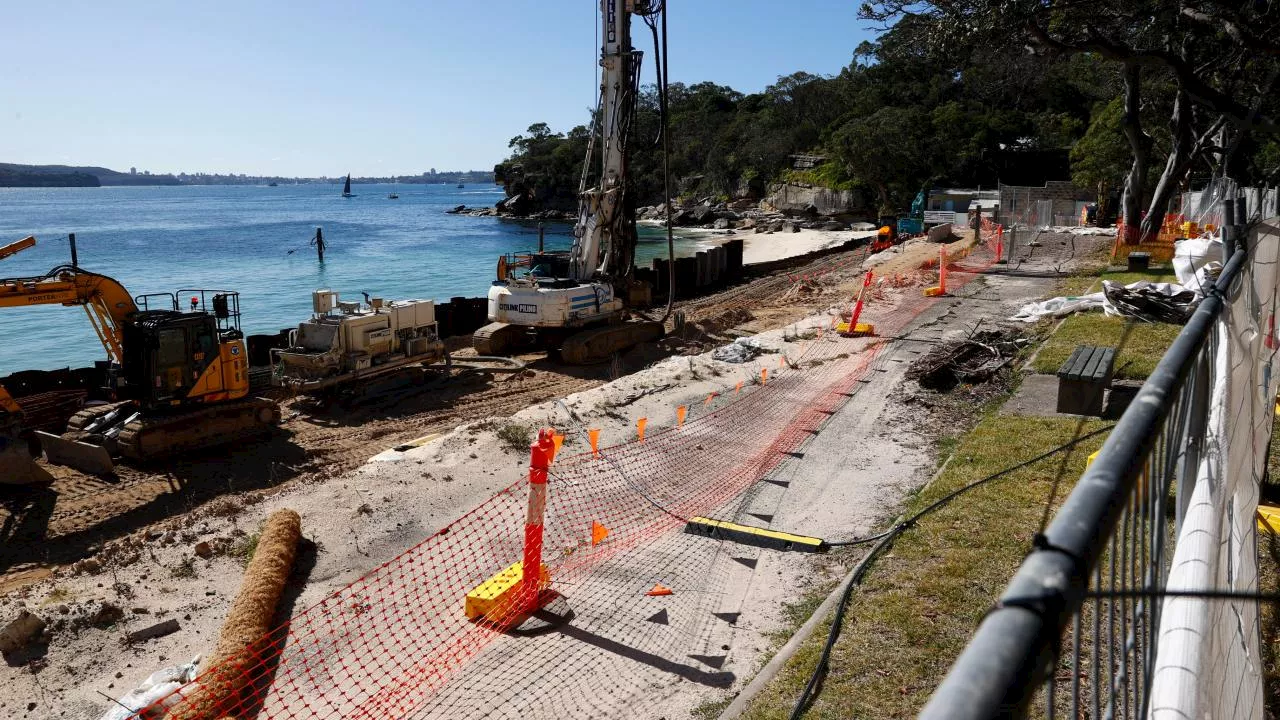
<point x="149" y="439"/>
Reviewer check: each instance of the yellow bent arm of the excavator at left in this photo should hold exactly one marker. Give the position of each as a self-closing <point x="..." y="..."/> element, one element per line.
<point x="106" y="300"/>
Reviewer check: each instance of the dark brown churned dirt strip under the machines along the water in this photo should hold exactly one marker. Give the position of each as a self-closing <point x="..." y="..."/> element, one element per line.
<point x="47" y="527"/>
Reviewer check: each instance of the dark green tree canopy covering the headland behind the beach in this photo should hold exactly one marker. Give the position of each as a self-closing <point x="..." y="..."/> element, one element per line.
<point x="968" y="93"/>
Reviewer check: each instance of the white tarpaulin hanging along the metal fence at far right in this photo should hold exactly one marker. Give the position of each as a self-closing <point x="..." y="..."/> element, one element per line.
<point x="1209" y="663"/>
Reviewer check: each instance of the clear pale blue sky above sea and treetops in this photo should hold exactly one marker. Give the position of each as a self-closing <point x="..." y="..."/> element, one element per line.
<point x="373" y="88"/>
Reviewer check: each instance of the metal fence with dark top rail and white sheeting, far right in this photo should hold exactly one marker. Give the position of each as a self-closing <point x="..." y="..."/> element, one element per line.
<point x="1140" y="599"/>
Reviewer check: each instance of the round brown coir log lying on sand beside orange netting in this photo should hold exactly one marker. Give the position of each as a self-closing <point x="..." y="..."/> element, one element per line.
<point x="243" y="645"/>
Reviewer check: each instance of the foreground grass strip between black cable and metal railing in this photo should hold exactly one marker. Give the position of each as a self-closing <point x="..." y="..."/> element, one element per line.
<point x="921" y="603"/>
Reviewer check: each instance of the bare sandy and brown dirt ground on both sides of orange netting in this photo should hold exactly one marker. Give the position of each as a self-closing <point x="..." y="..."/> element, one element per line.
<point x="358" y="516"/>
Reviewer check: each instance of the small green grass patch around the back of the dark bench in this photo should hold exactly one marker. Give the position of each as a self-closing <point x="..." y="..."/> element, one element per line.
<point x="1140" y="345"/>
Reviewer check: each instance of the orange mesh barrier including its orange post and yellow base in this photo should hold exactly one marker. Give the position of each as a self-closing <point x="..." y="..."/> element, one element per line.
<point x="390" y="644"/>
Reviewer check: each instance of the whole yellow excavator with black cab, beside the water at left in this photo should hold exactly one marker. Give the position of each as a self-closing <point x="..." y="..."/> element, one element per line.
<point x="177" y="377"/>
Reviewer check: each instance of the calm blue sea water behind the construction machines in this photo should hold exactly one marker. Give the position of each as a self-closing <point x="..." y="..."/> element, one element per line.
<point x="241" y="238"/>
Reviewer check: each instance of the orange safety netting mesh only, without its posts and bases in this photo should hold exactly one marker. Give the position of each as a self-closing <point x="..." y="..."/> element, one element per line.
<point x="385" y="645"/>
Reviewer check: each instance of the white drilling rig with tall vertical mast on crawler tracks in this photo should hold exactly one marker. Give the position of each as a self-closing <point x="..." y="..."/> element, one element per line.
<point x="577" y="303"/>
